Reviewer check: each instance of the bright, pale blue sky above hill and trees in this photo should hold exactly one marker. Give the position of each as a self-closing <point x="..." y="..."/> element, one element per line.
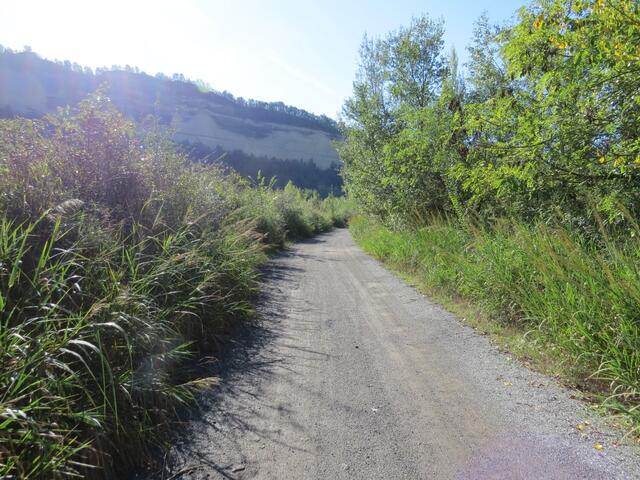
<point x="304" y="52"/>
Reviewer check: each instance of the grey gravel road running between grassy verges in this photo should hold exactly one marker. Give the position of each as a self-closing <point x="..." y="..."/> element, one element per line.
<point x="351" y="374"/>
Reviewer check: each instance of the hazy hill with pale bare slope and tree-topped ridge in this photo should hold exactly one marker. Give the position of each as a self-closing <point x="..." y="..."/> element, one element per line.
<point x="31" y="86"/>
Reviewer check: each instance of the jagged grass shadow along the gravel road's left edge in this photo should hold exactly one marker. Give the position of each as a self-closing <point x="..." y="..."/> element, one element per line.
<point x="249" y="357"/>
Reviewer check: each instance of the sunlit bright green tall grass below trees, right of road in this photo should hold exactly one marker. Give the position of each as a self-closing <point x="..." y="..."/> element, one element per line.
<point x="570" y="295"/>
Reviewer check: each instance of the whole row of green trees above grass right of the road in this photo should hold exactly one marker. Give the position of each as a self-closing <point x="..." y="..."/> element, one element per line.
<point x="545" y="124"/>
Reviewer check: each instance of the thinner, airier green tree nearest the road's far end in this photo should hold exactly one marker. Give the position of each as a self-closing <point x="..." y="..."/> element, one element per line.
<point x="390" y="166"/>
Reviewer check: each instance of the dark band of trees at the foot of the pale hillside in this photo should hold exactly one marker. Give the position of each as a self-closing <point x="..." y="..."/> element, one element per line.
<point x="303" y="173"/>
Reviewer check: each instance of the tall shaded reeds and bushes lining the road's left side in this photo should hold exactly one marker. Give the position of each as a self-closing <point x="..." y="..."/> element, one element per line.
<point x="121" y="264"/>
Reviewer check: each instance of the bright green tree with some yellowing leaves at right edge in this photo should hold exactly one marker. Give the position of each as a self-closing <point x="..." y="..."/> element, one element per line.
<point x="556" y="130"/>
